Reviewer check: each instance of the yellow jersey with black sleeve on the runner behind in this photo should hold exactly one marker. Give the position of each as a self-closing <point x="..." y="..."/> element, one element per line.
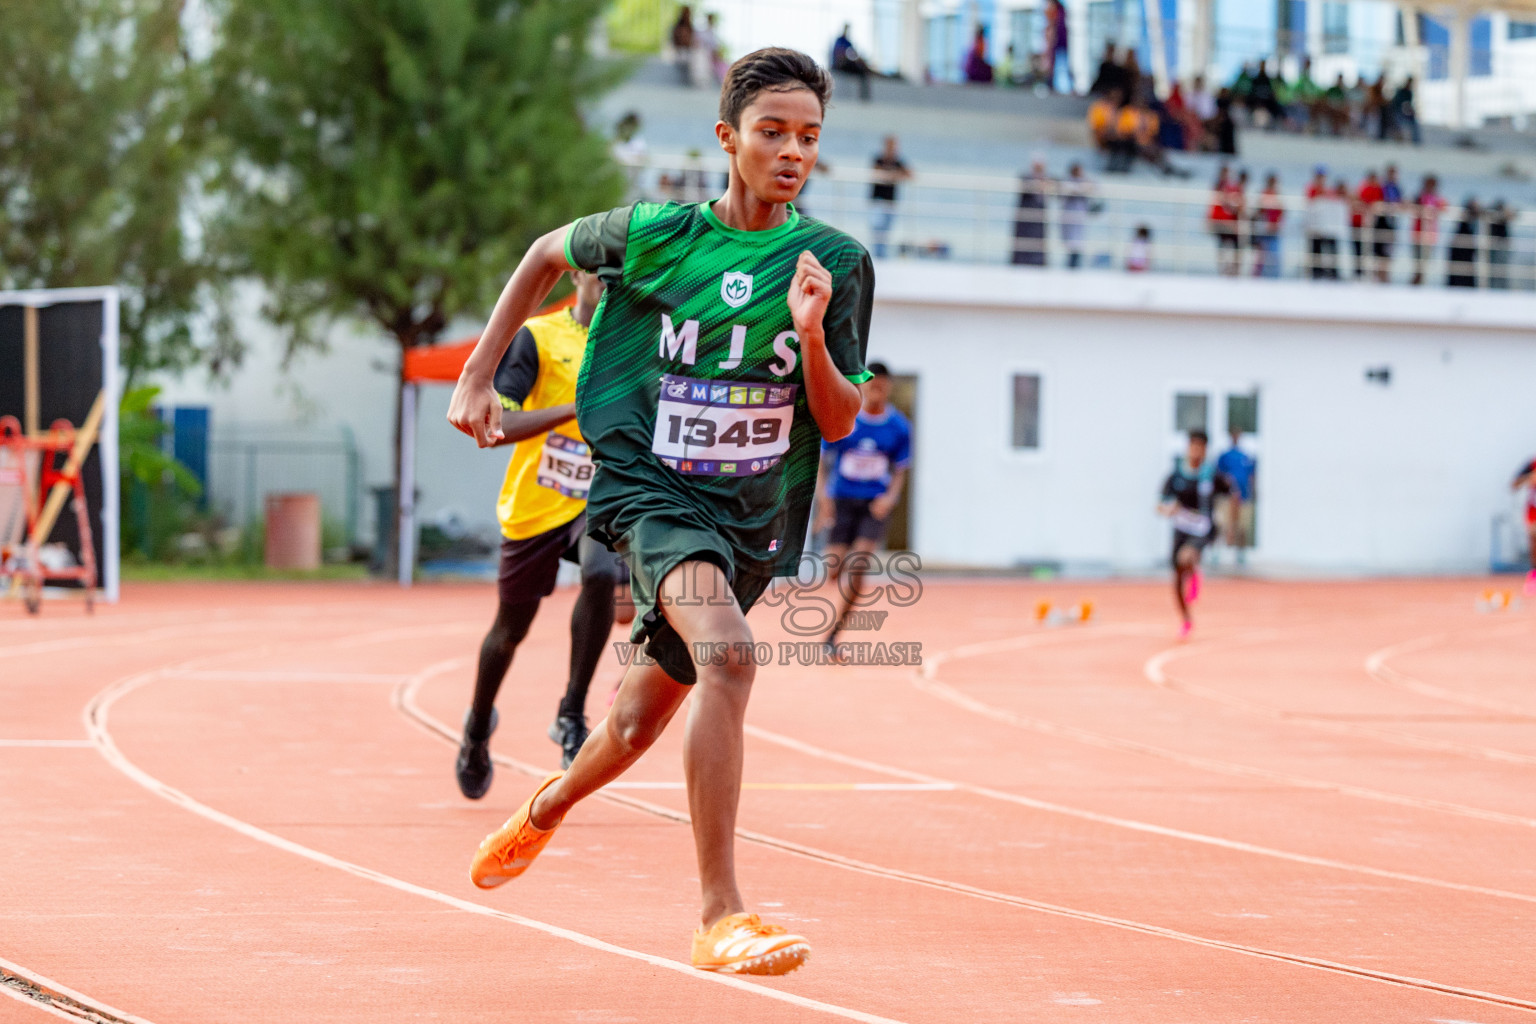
<point x="549" y="475"/>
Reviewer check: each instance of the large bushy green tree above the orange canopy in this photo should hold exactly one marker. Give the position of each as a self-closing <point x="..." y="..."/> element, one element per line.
<point x="394" y="159"/>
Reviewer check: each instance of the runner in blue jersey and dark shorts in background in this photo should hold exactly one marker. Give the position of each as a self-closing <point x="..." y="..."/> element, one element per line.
<point x="861" y="481"/>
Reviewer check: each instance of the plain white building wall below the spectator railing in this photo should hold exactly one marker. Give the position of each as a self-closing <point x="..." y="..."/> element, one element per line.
<point x="1354" y="477"/>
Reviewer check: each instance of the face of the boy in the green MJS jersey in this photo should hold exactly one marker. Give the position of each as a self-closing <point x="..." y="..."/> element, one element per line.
<point x="775" y="148"/>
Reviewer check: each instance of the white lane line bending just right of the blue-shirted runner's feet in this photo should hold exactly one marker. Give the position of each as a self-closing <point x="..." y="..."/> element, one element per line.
<point x="927" y="682"/>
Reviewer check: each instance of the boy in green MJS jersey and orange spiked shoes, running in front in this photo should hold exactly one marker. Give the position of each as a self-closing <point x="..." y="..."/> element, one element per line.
<point x="729" y="345"/>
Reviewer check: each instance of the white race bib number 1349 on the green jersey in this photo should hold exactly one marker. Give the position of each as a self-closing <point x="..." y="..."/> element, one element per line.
<point x="723" y="428"/>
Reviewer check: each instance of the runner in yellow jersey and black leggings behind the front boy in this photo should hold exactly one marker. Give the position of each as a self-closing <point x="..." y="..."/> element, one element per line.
<point x="543" y="514"/>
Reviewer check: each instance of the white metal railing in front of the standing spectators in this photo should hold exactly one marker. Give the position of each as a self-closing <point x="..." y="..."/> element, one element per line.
<point x="1094" y="225"/>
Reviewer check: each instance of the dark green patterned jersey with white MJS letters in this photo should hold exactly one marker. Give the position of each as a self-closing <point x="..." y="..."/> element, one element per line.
<point x="692" y="394"/>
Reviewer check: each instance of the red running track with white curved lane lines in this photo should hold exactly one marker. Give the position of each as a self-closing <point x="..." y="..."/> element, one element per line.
<point x="236" y="804"/>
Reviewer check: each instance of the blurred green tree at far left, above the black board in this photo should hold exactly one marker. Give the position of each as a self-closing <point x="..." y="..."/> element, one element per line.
<point x="99" y="167"/>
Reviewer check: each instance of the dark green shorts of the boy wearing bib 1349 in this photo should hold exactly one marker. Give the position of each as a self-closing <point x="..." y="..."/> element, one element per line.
<point x="655" y="546"/>
